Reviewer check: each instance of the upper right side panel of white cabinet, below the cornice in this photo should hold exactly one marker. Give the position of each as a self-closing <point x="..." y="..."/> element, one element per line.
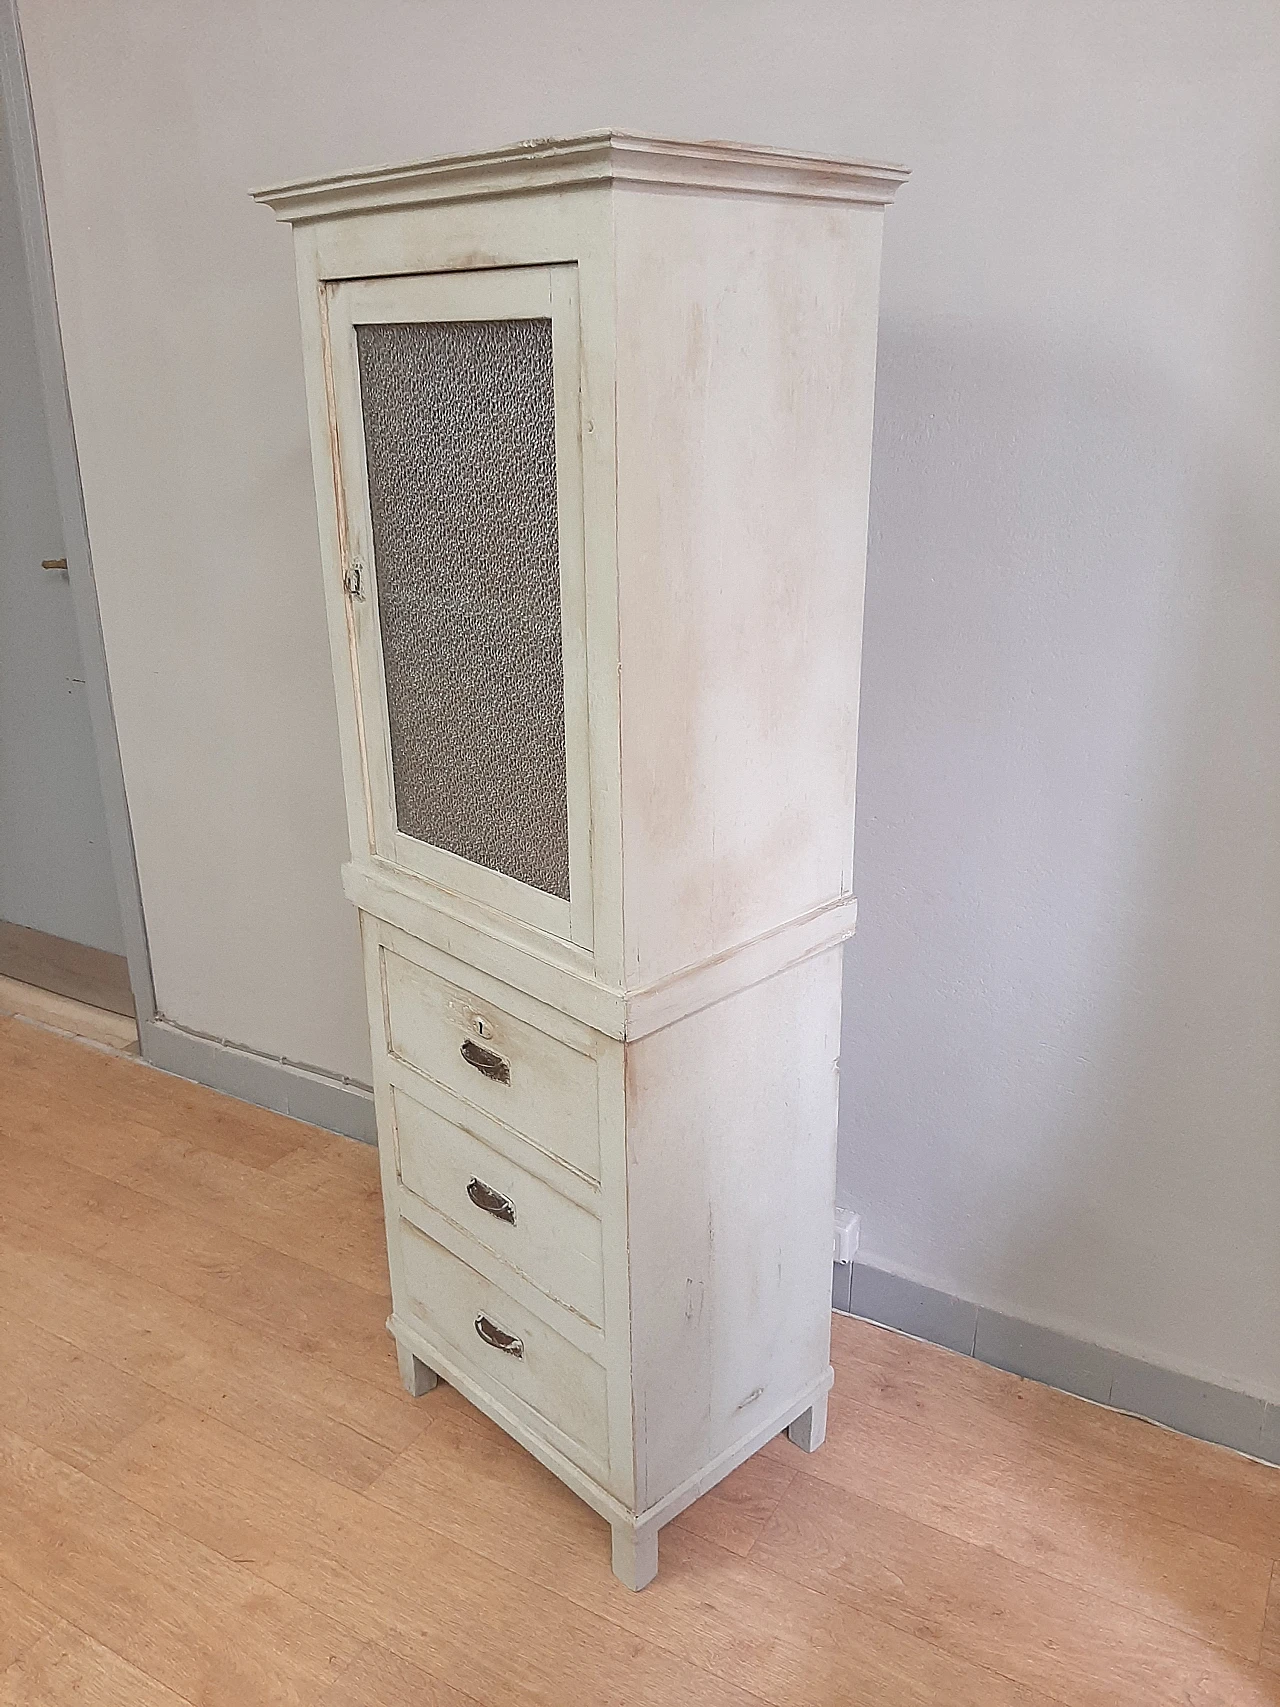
<point x="747" y="344"/>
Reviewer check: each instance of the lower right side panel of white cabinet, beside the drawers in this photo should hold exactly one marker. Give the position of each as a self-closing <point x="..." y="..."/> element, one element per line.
<point x="731" y="1153"/>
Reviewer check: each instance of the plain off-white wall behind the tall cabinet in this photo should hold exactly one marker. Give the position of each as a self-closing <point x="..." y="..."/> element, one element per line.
<point x="1062" y="1059"/>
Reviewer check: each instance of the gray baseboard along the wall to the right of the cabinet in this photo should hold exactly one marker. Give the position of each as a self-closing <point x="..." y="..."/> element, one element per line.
<point x="1180" y="1402"/>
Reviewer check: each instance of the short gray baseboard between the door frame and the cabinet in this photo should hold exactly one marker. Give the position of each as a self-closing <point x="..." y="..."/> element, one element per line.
<point x="289" y="1088"/>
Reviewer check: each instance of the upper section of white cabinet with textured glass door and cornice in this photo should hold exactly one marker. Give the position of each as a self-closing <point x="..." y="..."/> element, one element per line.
<point x="591" y="428"/>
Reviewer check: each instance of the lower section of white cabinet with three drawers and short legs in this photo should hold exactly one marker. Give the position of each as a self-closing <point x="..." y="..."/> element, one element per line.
<point x="617" y="1249"/>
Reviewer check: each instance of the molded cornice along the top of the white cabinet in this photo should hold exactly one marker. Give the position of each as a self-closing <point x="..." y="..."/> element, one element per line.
<point x="600" y="156"/>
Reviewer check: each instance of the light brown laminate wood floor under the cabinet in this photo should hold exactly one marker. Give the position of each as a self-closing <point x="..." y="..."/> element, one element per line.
<point x="214" y="1491"/>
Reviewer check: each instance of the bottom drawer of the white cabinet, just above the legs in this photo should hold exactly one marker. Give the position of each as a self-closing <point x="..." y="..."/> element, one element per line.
<point x="554" y="1378"/>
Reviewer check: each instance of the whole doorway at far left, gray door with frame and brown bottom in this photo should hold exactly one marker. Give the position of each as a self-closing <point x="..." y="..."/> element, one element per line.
<point x="73" y="945"/>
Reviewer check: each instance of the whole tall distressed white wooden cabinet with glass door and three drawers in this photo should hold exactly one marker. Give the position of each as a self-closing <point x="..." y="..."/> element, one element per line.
<point x="591" y="429"/>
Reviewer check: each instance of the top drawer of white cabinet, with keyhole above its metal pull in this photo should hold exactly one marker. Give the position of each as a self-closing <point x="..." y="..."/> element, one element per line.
<point x="533" y="1083"/>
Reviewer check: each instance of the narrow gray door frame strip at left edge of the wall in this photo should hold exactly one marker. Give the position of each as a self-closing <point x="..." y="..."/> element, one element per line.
<point x="33" y="221"/>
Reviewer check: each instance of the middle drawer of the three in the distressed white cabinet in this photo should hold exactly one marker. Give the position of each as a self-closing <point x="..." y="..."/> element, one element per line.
<point x="554" y="1244"/>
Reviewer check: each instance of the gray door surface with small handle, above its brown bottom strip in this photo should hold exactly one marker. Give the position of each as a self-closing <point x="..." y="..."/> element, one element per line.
<point x="55" y="865"/>
